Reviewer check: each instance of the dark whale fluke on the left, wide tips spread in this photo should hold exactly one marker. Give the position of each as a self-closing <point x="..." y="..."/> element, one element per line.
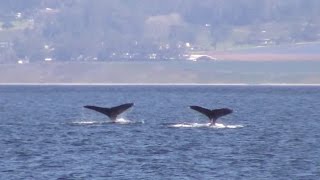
<point x="112" y="112"/>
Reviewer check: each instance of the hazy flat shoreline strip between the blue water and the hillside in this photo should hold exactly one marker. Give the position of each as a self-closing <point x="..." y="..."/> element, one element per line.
<point x="156" y="73"/>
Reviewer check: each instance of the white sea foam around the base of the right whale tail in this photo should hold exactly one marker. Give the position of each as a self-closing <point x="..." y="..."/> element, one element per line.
<point x="205" y="125"/>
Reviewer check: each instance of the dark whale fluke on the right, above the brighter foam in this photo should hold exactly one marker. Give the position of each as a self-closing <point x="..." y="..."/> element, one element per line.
<point x="214" y="114"/>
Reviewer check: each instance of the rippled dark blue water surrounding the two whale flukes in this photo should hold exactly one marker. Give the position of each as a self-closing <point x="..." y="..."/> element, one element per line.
<point x="45" y="133"/>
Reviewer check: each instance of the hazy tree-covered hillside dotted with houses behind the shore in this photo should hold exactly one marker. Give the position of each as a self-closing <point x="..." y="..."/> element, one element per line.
<point x="153" y="29"/>
